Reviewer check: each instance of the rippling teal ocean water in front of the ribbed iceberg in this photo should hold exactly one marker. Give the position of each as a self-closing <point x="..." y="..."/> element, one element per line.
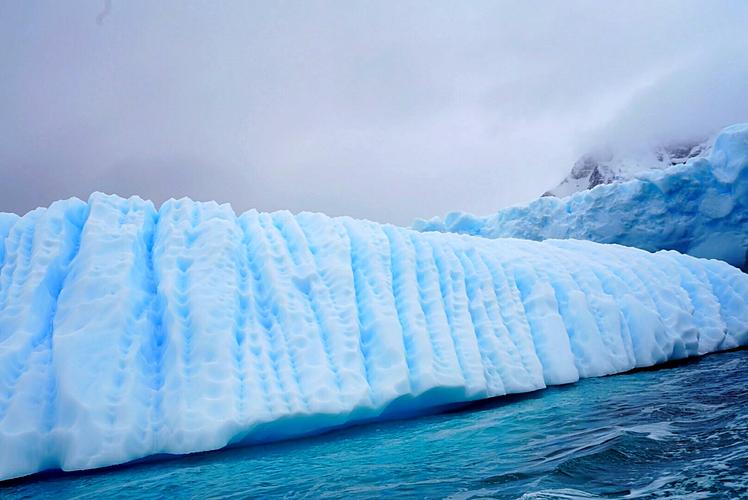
<point x="677" y="431"/>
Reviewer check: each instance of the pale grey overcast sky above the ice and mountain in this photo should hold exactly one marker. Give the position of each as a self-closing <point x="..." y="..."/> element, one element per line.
<point x="383" y="110"/>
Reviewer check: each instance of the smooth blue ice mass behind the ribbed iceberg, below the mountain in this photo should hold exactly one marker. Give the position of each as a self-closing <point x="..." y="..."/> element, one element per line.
<point x="700" y="208"/>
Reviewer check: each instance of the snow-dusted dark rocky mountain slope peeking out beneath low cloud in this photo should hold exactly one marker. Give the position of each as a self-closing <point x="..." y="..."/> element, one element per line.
<point x="605" y="167"/>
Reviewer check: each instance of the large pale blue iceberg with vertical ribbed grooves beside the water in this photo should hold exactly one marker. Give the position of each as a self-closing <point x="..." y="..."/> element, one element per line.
<point x="127" y="332"/>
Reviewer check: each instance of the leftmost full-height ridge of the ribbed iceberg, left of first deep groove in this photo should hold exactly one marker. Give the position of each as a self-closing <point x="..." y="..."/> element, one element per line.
<point x="28" y="389"/>
